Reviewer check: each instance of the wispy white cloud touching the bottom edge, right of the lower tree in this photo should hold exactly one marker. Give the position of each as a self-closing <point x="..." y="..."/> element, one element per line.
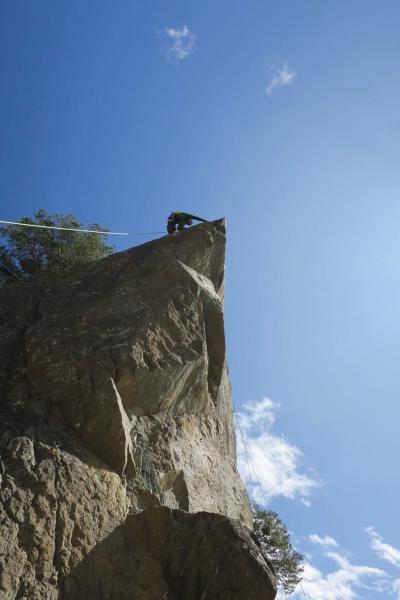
<point x="341" y="584"/>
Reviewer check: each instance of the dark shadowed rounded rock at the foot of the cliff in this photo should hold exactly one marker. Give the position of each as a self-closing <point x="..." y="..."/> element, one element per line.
<point x="164" y="554"/>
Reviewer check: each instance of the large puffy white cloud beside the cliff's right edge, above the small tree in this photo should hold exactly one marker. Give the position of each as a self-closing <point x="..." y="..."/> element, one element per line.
<point x="269" y="458"/>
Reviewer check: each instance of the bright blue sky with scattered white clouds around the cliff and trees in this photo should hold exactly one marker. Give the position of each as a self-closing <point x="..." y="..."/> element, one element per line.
<point x="283" y="117"/>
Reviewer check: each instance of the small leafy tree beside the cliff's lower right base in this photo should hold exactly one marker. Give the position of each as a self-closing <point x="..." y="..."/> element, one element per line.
<point x="275" y="543"/>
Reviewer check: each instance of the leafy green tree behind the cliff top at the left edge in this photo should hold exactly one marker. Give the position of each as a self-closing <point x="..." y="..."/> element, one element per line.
<point x="28" y="250"/>
